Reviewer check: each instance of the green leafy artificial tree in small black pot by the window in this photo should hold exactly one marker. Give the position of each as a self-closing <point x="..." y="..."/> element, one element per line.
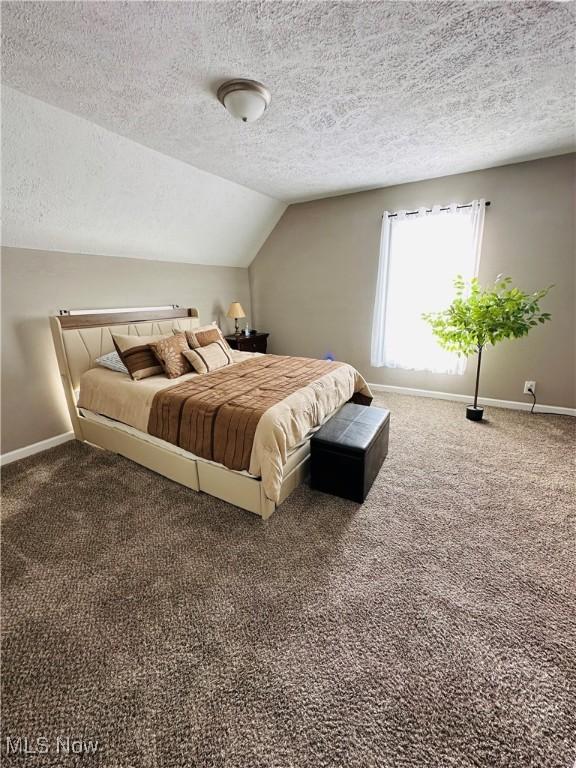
<point x="480" y="316"/>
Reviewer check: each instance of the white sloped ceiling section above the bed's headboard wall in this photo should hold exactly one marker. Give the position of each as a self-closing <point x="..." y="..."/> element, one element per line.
<point x="70" y="185"/>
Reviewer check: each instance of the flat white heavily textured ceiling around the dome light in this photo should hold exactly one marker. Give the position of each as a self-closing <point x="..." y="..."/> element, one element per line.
<point x="364" y="94"/>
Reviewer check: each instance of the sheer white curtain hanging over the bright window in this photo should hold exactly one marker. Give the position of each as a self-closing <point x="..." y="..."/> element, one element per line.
<point x="420" y="255"/>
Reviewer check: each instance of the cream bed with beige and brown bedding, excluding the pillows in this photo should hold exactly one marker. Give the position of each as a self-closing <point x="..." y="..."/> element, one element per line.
<point x="209" y="432"/>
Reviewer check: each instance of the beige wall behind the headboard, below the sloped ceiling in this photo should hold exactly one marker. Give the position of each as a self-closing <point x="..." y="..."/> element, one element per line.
<point x="35" y="284"/>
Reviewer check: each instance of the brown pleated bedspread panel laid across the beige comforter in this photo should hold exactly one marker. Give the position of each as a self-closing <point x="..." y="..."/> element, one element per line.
<point x="215" y="416"/>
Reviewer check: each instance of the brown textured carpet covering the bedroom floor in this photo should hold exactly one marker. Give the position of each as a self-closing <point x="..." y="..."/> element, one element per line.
<point x="433" y="626"/>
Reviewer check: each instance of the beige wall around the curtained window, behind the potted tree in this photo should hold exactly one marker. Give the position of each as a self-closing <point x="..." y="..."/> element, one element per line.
<point x="314" y="279"/>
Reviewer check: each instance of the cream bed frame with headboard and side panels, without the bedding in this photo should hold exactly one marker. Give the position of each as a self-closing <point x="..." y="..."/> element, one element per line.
<point x="80" y="339"/>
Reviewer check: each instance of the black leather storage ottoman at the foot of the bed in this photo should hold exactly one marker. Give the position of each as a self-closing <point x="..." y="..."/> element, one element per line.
<point x="348" y="450"/>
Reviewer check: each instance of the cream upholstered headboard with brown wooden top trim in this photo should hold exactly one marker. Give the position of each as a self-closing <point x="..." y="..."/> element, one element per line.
<point x="80" y="339"/>
